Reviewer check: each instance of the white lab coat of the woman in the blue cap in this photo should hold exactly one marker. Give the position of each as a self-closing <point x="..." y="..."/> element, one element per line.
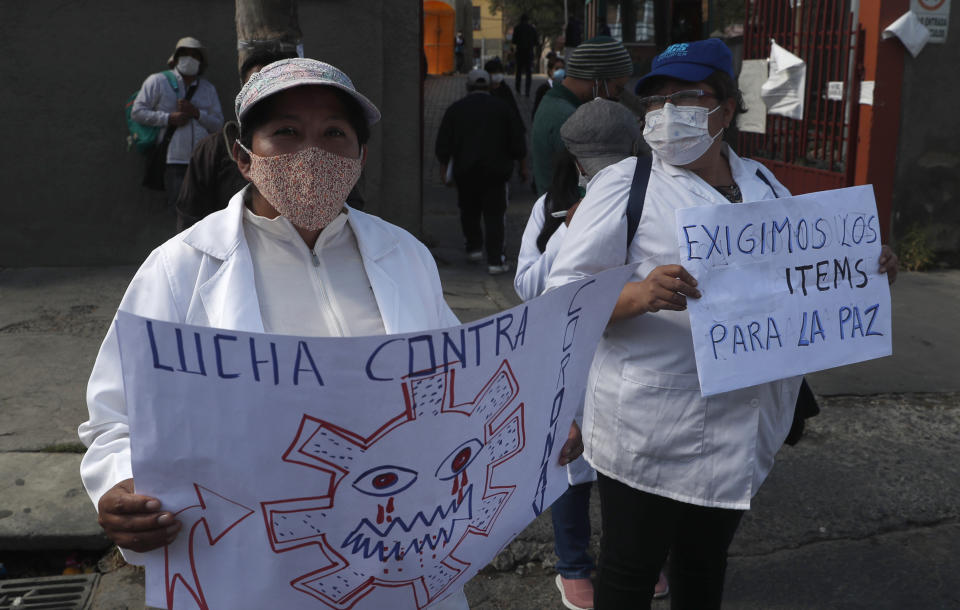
<point x="645" y="423"/>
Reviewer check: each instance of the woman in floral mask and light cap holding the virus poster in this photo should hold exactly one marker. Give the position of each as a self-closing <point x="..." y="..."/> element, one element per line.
<point x="287" y="255"/>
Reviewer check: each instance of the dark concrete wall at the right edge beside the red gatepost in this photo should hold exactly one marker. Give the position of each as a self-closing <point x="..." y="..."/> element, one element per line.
<point x="927" y="191"/>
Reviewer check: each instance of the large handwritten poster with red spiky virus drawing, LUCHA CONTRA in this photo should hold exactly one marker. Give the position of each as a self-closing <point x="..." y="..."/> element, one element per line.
<point x="369" y="472"/>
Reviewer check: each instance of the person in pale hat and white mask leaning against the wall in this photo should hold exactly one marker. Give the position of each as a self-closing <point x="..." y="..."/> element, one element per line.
<point x="192" y="110"/>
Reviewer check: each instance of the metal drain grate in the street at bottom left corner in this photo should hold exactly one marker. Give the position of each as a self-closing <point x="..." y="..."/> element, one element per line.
<point x="48" y="592"/>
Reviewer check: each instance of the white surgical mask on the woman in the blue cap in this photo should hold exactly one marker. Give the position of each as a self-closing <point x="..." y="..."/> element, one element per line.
<point x="679" y="134"/>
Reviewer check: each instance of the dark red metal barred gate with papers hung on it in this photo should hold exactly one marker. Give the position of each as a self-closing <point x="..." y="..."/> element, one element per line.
<point x="819" y="151"/>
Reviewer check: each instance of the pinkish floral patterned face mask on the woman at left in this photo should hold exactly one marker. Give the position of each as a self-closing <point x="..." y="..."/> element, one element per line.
<point x="308" y="187"/>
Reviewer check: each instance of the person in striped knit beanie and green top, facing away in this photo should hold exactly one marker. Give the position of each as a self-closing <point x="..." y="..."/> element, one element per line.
<point x="599" y="67"/>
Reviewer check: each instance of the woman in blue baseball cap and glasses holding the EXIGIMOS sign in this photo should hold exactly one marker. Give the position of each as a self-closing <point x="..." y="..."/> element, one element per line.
<point x="676" y="471"/>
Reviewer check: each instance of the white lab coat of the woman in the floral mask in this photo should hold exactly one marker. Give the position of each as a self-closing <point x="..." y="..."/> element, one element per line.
<point x="204" y="276"/>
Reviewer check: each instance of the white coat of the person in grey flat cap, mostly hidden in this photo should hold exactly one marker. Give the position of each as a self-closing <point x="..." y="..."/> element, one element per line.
<point x="533" y="267"/>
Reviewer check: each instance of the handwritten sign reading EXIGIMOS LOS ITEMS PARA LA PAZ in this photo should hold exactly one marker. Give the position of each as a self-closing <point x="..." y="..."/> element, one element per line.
<point x="789" y="285"/>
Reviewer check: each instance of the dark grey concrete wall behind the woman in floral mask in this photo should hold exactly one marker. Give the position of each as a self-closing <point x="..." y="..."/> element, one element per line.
<point x="72" y="192"/>
